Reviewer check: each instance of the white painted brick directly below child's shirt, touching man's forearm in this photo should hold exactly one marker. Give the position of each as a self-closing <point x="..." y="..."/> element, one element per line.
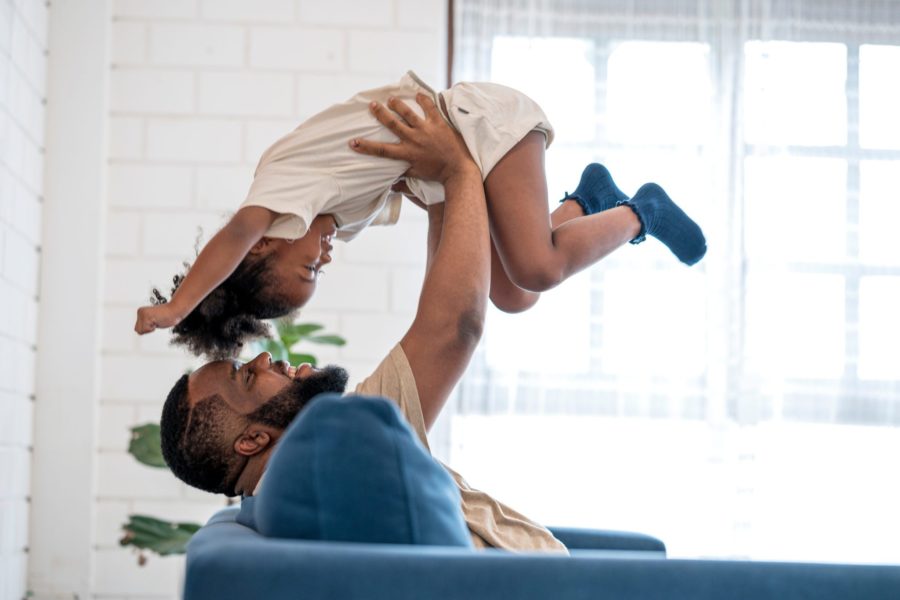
<point x="403" y="243"/>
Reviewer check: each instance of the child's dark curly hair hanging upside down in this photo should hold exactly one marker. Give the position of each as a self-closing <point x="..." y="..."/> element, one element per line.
<point x="232" y="313"/>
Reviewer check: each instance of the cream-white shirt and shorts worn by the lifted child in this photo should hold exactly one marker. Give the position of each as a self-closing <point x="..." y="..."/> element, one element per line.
<point x="312" y="170"/>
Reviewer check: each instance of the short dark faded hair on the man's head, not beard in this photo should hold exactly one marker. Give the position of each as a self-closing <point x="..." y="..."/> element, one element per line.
<point x="193" y="444"/>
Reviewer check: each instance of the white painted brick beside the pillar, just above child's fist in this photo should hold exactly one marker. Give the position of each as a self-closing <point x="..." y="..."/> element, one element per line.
<point x="129" y="281"/>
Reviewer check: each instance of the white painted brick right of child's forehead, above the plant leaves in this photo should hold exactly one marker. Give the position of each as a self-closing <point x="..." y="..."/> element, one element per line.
<point x="340" y="286"/>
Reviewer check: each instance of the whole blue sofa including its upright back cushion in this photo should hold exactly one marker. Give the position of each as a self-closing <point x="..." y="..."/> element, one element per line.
<point x="350" y="469"/>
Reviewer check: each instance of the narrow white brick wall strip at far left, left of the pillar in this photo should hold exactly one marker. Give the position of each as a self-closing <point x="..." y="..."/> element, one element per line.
<point x="23" y="41"/>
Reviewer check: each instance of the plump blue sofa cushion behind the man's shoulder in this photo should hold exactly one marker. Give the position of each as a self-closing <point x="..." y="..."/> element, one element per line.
<point x="349" y="468"/>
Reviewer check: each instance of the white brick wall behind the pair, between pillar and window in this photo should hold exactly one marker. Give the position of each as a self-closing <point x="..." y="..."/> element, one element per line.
<point x="199" y="88"/>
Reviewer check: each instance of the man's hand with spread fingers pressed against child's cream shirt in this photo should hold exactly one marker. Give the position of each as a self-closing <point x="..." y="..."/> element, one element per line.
<point x="433" y="149"/>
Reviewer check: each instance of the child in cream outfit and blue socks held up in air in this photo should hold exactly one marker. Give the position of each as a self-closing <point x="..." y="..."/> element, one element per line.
<point x="310" y="186"/>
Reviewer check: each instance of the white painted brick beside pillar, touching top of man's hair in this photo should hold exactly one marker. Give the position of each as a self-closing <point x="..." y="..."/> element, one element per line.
<point x="140" y="378"/>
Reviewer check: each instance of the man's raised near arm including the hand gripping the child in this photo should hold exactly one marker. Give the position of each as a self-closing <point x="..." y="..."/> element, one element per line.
<point x="452" y="304"/>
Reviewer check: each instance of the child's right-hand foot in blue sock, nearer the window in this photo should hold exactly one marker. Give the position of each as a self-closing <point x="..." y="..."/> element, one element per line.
<point x="661" y="218"/>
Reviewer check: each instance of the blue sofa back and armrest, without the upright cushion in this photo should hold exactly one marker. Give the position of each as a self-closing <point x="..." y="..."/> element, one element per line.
<point x="226" y="559"/>
